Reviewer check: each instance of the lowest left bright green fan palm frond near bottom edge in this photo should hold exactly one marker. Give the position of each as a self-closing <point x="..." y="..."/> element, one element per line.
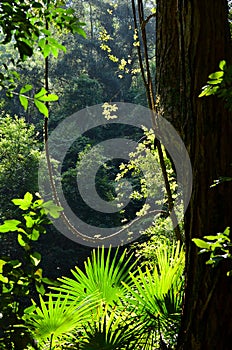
<point x="54" y="319"/>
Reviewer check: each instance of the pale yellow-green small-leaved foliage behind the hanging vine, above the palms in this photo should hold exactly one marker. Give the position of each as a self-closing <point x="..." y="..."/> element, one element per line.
<point x="142" y="166"/>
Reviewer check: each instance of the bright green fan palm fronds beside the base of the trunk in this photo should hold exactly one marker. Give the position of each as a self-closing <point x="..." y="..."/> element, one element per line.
<point x="156" y="295"/>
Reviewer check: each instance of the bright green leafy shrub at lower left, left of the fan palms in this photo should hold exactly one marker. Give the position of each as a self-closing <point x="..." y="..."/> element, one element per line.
<point x="19" y="277"/>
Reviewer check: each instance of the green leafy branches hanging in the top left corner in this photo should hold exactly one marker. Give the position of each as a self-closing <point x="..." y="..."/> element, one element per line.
<point x="29" y="26"/>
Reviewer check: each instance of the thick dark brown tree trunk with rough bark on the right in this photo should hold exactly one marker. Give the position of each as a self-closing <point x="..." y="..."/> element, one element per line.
<point x="192" y="37"/>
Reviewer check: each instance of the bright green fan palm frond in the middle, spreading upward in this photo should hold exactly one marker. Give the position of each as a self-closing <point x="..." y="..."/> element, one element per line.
<point x="104" y="274"/>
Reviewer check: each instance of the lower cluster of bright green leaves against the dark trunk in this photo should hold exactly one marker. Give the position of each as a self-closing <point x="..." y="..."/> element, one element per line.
<point x="219" y="247"/>
